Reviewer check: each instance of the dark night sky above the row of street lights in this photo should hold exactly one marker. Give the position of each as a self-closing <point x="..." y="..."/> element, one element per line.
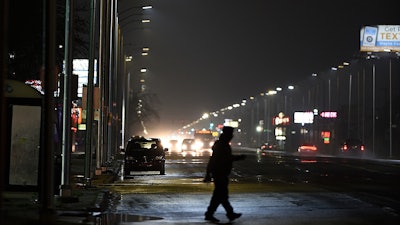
<point x="207" y="54"/>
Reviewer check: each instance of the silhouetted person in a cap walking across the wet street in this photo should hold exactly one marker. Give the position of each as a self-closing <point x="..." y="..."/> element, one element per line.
<point x="219" y="168"/>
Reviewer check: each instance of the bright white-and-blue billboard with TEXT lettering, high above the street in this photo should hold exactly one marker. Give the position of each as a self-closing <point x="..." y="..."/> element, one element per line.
<point x="380" y="38"/>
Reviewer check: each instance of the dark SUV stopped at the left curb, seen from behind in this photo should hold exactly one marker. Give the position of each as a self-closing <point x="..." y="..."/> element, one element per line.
<point x="144" y="154"/>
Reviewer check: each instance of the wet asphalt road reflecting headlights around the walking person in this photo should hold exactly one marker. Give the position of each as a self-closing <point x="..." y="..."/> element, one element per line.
<point x="274" y="188"/>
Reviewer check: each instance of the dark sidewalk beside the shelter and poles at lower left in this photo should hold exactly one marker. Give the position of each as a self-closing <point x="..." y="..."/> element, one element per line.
<point x="23" y="208"/>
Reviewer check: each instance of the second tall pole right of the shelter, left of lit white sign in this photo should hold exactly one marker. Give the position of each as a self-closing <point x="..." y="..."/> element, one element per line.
<point x="65" y="189"/>
